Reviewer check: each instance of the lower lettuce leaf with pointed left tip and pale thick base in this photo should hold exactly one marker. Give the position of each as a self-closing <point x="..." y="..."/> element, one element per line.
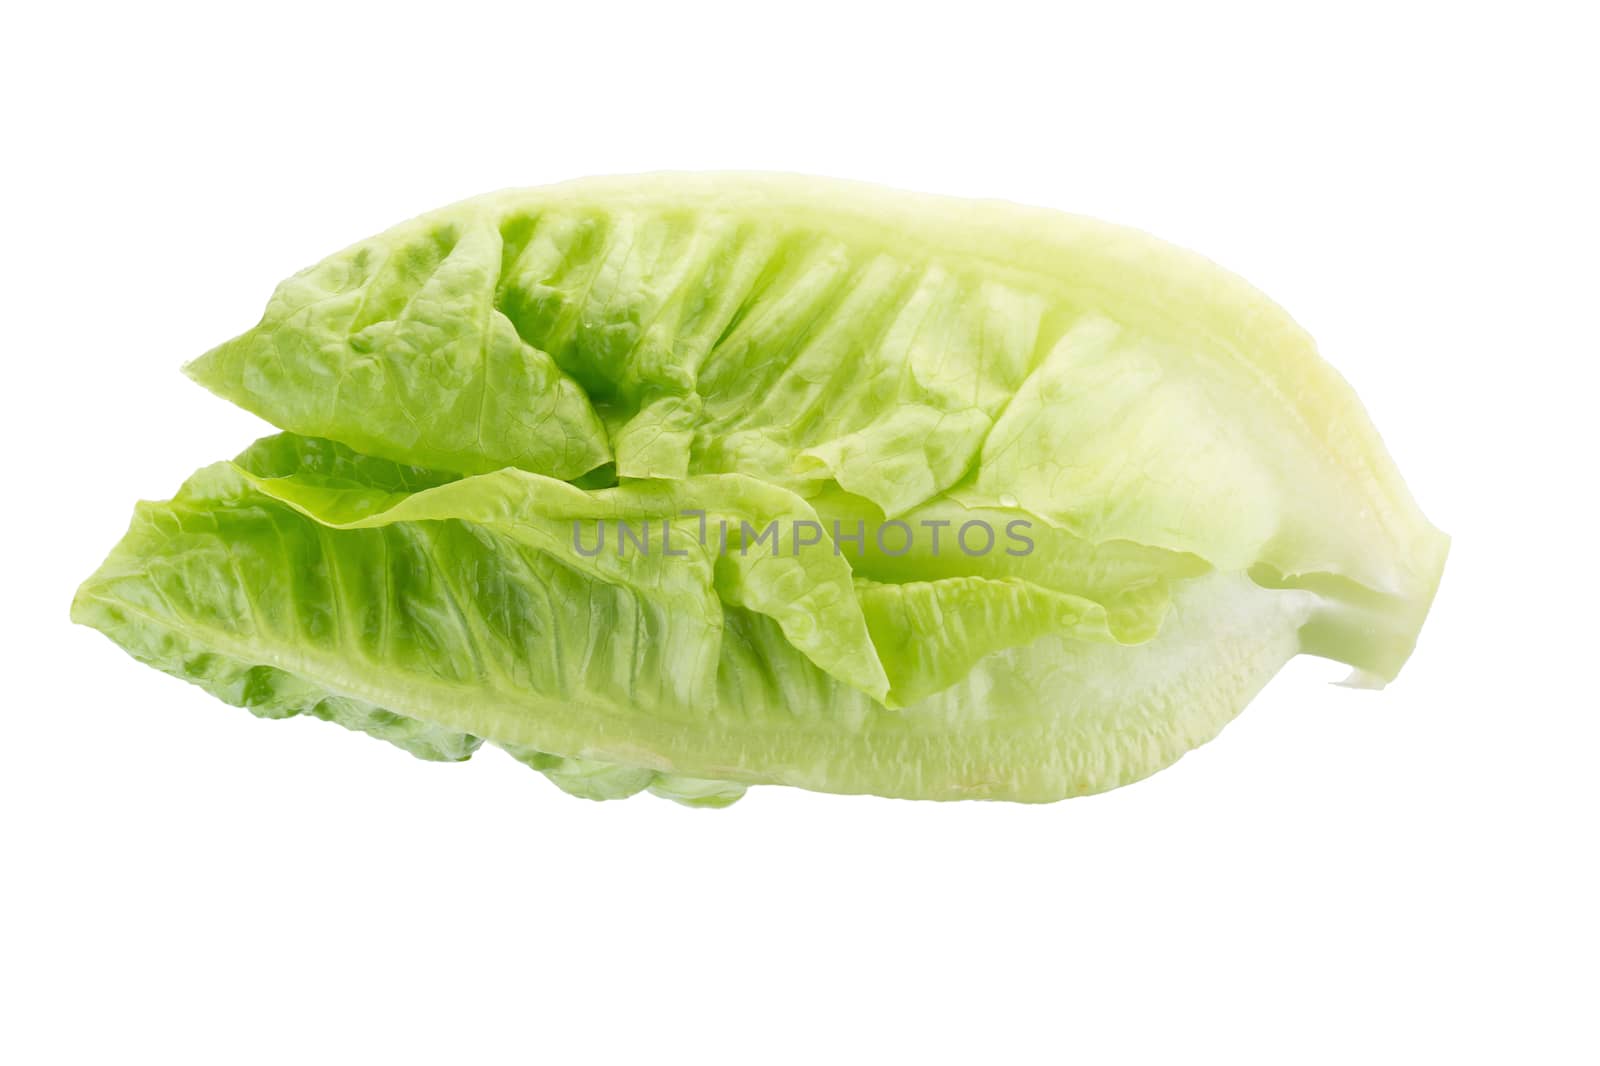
<point x="455" y="615"/>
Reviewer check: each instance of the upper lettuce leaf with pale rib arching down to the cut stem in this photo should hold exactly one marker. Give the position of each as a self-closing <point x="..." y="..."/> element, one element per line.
<point x="902" y="348"/>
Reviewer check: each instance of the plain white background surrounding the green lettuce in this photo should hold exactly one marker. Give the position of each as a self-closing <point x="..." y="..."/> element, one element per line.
<point x="1343" y="876"/>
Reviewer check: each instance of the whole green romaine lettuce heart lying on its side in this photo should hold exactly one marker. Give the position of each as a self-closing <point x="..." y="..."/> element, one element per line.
<point x="793" y="388"/>
